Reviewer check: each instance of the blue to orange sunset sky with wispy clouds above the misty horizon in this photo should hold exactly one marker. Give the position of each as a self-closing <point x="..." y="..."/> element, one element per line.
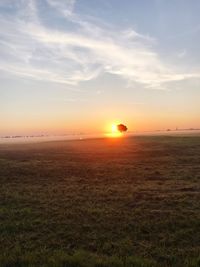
<point x="81" y="65"/>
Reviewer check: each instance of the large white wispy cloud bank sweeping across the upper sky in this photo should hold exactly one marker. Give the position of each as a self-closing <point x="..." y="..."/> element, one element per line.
<point x="37" y="51"/>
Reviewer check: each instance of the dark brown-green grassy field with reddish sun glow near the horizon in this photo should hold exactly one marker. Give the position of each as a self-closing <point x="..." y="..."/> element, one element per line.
<point x="104" y="203"/>
